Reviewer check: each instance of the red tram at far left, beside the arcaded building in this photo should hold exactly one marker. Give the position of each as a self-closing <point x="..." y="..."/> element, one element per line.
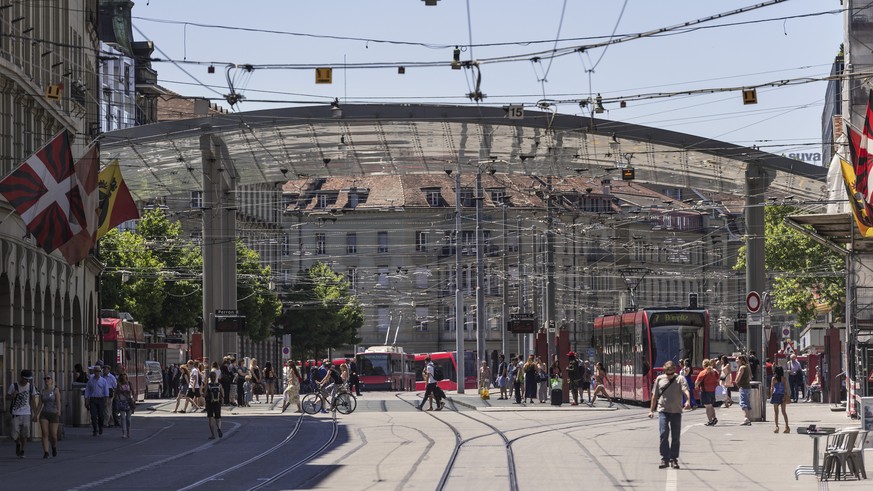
<point x="123" y="344"/>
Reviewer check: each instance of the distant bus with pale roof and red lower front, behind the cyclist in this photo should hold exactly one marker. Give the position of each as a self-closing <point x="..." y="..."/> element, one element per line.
<point x="386" y="368"/>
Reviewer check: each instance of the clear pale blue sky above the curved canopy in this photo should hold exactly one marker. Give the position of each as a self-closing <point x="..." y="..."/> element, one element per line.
<point x="792" y="40"/>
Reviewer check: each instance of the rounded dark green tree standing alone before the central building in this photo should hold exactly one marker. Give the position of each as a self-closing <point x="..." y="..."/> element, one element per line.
<point x="321" y="312"/>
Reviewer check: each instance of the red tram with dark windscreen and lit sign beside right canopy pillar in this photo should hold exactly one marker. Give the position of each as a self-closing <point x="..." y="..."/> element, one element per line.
<point x="630" y="344"/>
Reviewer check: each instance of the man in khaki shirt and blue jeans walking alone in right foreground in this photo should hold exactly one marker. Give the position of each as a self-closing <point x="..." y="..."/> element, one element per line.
<point x="667" y="393"/>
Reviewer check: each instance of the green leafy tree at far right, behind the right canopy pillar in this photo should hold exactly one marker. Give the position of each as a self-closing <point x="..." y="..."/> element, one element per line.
<point x="805" y="274"/>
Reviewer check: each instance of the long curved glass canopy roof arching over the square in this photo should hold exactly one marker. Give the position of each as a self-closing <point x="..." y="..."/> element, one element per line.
<point x="279" y="144"/>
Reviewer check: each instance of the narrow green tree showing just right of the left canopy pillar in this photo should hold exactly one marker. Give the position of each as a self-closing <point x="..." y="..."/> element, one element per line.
<point x="256" y="300"/>
